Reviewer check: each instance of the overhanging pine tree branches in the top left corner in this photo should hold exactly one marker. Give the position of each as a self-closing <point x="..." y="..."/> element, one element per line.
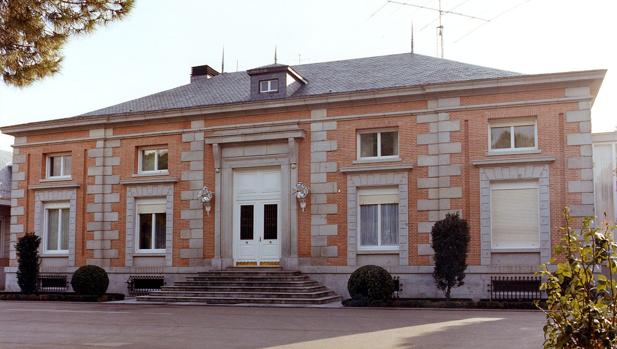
<point x="33" y="32"/>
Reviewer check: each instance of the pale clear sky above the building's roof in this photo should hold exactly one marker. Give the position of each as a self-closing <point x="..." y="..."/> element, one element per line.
<point x="153" y="49"/>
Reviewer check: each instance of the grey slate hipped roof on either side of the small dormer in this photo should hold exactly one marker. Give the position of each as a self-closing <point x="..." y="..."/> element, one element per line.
<point x="351" y="75"/>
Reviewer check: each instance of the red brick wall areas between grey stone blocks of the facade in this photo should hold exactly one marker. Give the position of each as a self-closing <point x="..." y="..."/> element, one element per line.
<point x="473" y="136"/>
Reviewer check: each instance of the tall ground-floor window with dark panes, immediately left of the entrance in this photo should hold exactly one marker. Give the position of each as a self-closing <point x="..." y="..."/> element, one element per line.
<point x="151" y="226"/>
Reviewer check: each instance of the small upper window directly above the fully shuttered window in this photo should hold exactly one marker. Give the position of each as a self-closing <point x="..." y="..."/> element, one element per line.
<point x="513" y="135"/>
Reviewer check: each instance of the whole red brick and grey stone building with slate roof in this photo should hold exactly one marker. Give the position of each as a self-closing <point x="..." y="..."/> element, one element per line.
<point x="318" y="167"/>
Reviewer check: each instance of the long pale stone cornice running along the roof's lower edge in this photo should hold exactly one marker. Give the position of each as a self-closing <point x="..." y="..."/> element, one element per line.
<point x="439" y="87"/>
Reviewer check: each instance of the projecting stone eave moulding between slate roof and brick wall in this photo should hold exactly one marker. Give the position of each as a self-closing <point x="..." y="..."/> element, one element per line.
<point x="436" y="89"/>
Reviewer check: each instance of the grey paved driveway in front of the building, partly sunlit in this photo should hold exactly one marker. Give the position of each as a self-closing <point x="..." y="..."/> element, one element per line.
<point x="71" y="325"/>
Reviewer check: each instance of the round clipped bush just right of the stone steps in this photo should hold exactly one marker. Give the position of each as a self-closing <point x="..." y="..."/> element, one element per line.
<point x="372" y="283"/>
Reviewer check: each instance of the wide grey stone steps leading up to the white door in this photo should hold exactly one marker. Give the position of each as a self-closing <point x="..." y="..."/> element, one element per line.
<point x="246" y="286"/>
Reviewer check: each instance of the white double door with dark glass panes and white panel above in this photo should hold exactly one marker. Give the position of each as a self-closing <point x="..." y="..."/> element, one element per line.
<point x="257" y="216"/>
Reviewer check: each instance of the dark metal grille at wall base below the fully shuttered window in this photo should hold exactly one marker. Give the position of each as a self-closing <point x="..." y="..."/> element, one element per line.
<point x="515" y="288"/>
